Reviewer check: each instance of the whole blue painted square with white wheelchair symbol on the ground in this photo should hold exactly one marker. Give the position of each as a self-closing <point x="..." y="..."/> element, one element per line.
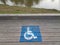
<point x="30" y="34"/>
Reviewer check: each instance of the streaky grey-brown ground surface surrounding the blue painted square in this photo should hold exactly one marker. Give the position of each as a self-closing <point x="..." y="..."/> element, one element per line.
<point x="10" y="30"/>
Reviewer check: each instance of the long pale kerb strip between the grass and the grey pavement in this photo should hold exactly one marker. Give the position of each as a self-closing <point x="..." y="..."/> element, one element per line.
<point x="29" y="14"/>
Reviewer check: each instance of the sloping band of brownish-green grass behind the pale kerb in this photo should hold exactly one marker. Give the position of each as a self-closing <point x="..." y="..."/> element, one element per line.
<point x="4" y="9"/>
